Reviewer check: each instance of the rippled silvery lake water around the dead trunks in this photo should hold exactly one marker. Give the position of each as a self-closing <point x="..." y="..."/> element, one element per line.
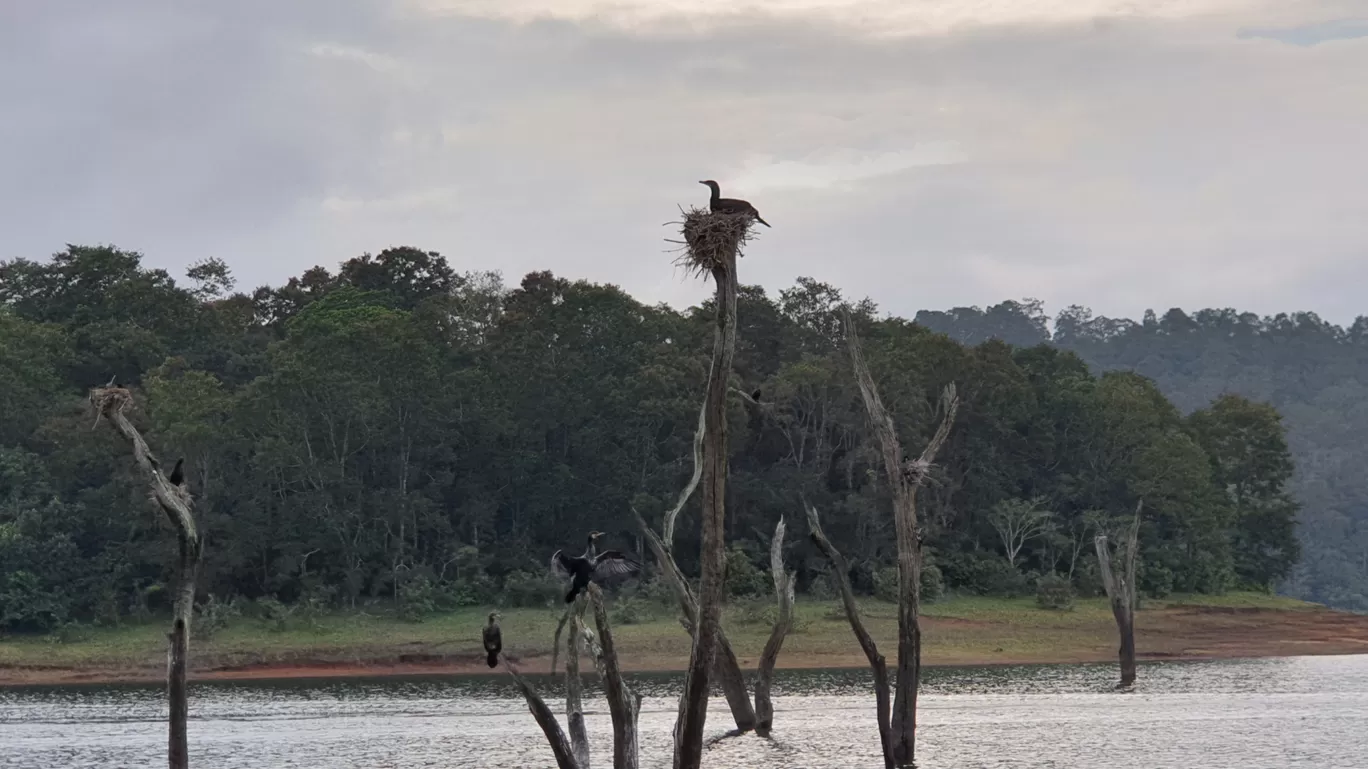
<point x="1310" y="712"/>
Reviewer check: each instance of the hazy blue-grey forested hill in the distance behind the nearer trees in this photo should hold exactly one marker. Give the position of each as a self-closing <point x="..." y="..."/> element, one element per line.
<point x="1315" y="373"/>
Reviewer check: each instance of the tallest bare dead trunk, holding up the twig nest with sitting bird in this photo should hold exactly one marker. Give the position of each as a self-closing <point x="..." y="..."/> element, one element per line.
<point x="689" y="730"/>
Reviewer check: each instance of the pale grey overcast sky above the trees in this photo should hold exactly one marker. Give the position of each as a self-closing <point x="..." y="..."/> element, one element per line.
<point x="1117" y="154"/>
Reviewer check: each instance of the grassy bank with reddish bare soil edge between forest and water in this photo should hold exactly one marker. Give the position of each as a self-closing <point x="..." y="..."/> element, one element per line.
<point x="957" y="631"/>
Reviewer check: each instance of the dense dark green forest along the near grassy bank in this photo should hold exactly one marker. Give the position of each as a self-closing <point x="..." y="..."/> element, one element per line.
<point x="406" y="432"/>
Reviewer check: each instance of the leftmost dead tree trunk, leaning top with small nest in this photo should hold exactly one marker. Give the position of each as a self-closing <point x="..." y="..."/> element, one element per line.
<point x="176" y="503"/>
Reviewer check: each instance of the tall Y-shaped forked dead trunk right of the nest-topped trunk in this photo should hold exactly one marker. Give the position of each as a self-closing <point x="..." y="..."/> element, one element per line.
<point x="904" y="478"/>
